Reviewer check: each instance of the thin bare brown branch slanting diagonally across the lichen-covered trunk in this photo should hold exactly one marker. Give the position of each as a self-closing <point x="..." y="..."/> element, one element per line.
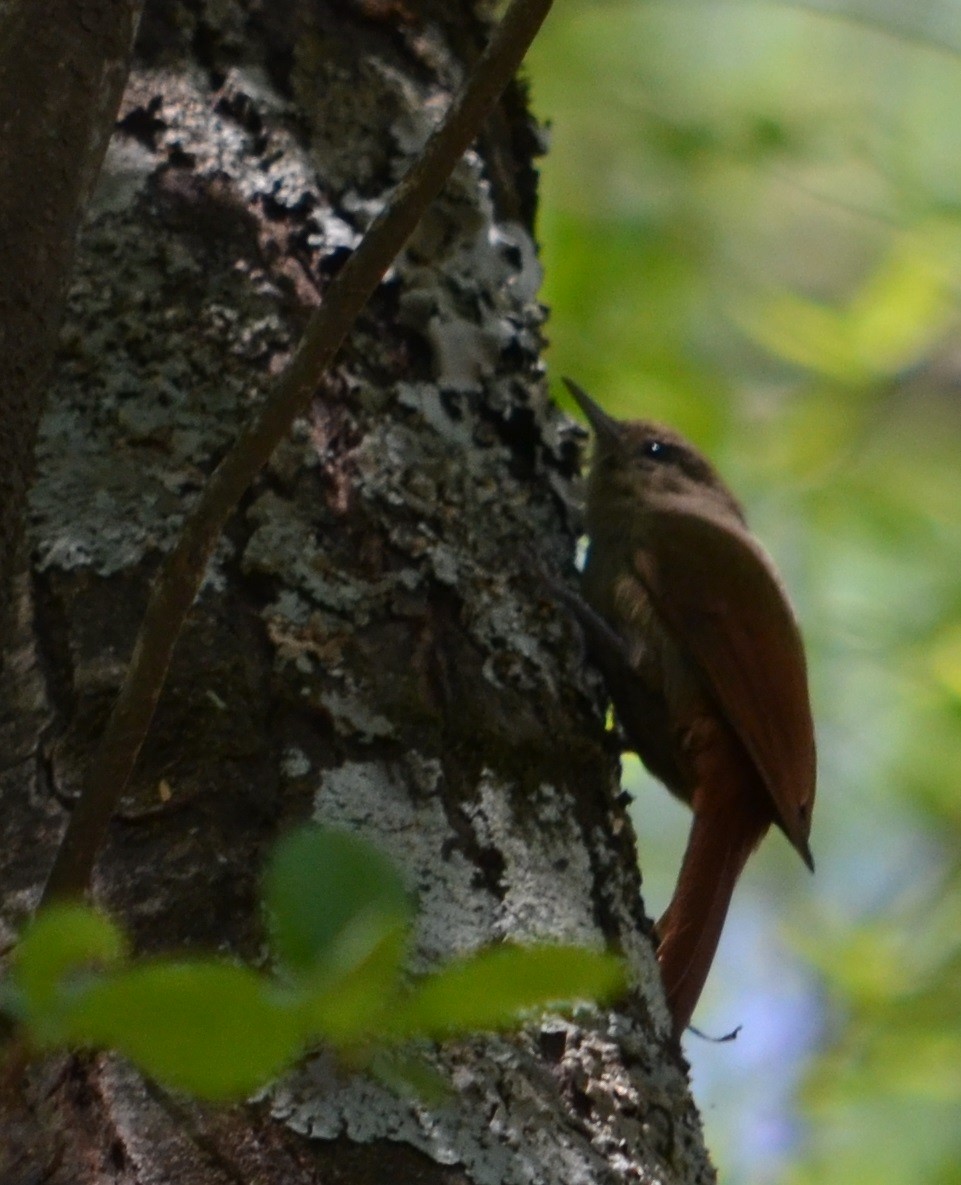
<point x="183" y="572"/>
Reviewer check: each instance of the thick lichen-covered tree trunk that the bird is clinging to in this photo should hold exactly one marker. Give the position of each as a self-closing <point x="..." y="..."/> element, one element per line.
<point x="371" y="648"/>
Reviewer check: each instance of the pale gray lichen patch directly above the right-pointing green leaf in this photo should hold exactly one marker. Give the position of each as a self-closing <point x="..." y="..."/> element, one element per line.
<point x="547" y="869"/>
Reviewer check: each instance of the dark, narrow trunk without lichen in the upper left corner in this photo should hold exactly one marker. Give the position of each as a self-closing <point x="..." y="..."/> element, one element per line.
<point x="63" y="66"/>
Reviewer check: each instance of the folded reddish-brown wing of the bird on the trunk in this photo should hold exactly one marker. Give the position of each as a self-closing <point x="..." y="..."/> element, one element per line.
<point x="720" y="595"/>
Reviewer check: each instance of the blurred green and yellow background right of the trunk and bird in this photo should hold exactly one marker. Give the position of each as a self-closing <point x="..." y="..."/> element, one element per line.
<point x="752" y="229"/>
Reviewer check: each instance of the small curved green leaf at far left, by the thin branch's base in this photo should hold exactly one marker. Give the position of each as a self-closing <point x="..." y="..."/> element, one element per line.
<point x="60" y="943"/>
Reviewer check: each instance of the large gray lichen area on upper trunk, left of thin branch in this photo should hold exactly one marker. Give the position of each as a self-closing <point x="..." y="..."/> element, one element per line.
<point x="151" y="388"/>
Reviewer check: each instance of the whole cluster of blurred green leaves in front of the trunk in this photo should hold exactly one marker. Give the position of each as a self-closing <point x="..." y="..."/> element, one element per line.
<point x="341" y="920"/>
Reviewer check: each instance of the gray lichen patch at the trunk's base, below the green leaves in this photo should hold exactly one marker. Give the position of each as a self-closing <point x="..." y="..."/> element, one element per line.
<point x="575" y="1101"/>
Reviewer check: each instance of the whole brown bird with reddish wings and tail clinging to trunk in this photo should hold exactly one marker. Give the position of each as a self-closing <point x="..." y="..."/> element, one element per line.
<point x="696" y="637"/>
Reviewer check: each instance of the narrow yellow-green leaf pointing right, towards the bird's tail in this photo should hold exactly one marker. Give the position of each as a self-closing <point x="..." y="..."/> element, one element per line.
<point x="492" y="989"/>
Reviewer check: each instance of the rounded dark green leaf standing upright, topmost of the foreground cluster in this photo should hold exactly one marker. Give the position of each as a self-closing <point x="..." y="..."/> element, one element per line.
<point x="331" y="900"/>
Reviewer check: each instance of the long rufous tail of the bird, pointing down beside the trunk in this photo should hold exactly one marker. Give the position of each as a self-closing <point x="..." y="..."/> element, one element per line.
<point x="726" y="830"/>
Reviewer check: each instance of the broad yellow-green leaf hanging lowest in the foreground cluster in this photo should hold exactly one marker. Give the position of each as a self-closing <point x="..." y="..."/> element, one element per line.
<point x="212" y="1029"/>
